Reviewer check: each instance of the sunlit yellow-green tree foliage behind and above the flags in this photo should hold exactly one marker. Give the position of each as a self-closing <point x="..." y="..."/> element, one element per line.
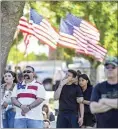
<point x="103" y="15"/>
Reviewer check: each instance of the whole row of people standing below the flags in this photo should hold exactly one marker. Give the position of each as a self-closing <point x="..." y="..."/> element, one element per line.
<point x="81" y="105"/>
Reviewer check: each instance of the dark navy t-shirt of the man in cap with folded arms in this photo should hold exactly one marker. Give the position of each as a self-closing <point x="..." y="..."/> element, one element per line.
<point x="108" y="119"/>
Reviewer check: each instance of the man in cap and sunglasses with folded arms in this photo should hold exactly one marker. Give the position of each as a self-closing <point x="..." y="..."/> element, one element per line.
<point x="104" y="99"/>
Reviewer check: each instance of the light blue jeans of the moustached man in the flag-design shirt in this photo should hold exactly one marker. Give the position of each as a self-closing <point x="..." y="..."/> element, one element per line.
<point x="28" y="123"/>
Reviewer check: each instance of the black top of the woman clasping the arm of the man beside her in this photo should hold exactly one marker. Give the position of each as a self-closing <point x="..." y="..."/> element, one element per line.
<point x="87" y="96"/>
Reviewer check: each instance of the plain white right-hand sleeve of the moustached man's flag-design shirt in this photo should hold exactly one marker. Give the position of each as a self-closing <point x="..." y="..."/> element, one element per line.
<point x="41" y="93"/>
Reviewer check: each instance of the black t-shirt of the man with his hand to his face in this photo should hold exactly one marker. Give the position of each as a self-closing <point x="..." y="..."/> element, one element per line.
<point x="68" y="98"/>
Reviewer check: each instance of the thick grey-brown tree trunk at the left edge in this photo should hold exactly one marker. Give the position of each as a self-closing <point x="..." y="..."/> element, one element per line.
<point x="11" y="11"/>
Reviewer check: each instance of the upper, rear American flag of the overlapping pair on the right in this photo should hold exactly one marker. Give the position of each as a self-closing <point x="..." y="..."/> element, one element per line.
<point x="83" y="29"/>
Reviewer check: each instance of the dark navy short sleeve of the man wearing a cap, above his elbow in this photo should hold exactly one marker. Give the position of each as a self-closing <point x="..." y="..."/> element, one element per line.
<point x="95" y="96"/>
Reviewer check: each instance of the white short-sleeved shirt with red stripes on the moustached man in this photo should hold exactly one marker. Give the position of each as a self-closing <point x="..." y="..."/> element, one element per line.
<point x="27" y="96"/>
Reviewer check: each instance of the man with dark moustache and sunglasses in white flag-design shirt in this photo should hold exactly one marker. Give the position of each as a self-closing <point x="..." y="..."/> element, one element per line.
<point x="28" y="97"/>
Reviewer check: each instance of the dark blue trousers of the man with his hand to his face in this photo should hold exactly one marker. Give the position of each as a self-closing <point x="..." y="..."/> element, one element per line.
<point x="67" y="120"/>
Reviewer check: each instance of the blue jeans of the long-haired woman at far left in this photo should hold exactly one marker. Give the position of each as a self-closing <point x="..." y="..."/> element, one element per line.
<point x="8" y="122"/>
